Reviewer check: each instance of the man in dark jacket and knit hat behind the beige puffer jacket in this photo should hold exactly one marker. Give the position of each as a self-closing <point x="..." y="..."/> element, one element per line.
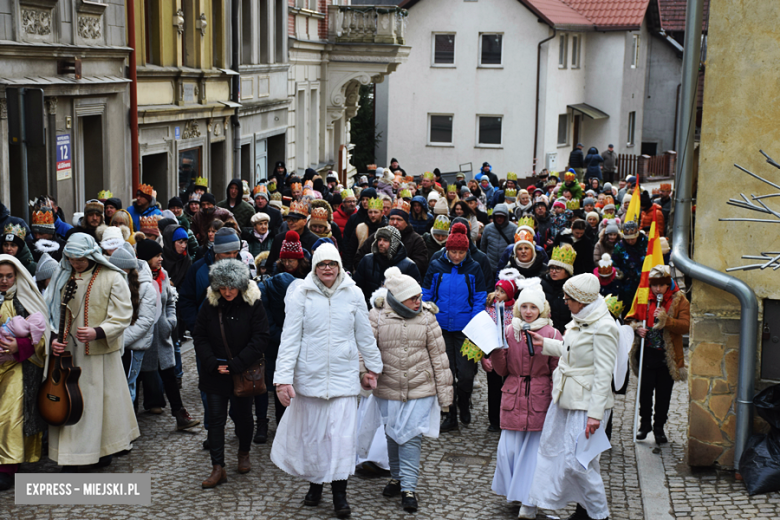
<point x="387" y="251"/>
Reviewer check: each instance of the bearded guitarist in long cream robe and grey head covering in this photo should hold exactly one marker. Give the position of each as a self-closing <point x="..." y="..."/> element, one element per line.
<point x="103" y="310"/>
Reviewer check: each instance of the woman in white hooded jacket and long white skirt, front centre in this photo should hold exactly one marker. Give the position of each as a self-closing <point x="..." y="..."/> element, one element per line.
<point x="318" y="378"/>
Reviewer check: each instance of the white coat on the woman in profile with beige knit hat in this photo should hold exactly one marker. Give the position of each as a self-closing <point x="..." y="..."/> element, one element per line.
<point x="583" y="379"/>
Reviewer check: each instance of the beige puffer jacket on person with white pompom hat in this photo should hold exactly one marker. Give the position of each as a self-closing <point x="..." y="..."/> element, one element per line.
<point x="413" y="353"/>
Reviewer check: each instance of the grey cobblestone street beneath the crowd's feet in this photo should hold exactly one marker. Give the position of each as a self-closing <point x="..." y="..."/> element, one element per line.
<point x="455" y="481"/>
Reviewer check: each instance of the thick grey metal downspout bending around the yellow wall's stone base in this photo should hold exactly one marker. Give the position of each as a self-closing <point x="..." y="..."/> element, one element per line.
<point x="748" y="332"/>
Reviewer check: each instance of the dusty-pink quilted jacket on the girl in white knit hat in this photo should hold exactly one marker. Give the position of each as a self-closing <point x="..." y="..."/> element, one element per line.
<point x="527" y="391"/>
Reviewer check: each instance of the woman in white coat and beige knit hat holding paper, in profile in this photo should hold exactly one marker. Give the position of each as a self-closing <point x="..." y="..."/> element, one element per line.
<point x="582" y="400"/>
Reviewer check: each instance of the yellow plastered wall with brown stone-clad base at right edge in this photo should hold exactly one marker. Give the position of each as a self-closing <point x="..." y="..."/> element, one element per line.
<point x="740" y="116"/>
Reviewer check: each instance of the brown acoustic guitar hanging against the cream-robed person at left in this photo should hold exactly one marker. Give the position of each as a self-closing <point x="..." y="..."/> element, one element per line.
<point x="60" y="401"/>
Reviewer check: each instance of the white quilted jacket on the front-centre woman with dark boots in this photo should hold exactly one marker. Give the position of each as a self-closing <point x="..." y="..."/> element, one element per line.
<point x="321" y="339"/>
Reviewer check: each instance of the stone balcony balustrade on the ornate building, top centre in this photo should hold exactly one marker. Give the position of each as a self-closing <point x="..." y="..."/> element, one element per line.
<point x="366" y="24"/>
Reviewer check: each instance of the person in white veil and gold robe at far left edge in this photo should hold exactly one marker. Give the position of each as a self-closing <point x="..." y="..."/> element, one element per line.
<point x="23" y="360"/>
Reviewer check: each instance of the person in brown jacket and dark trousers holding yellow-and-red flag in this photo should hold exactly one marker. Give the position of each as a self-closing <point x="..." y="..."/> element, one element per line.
<point x="660" y="314"/>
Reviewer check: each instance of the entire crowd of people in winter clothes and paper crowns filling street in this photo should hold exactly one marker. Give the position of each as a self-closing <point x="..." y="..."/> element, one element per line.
<point x="355" y="297"/>
